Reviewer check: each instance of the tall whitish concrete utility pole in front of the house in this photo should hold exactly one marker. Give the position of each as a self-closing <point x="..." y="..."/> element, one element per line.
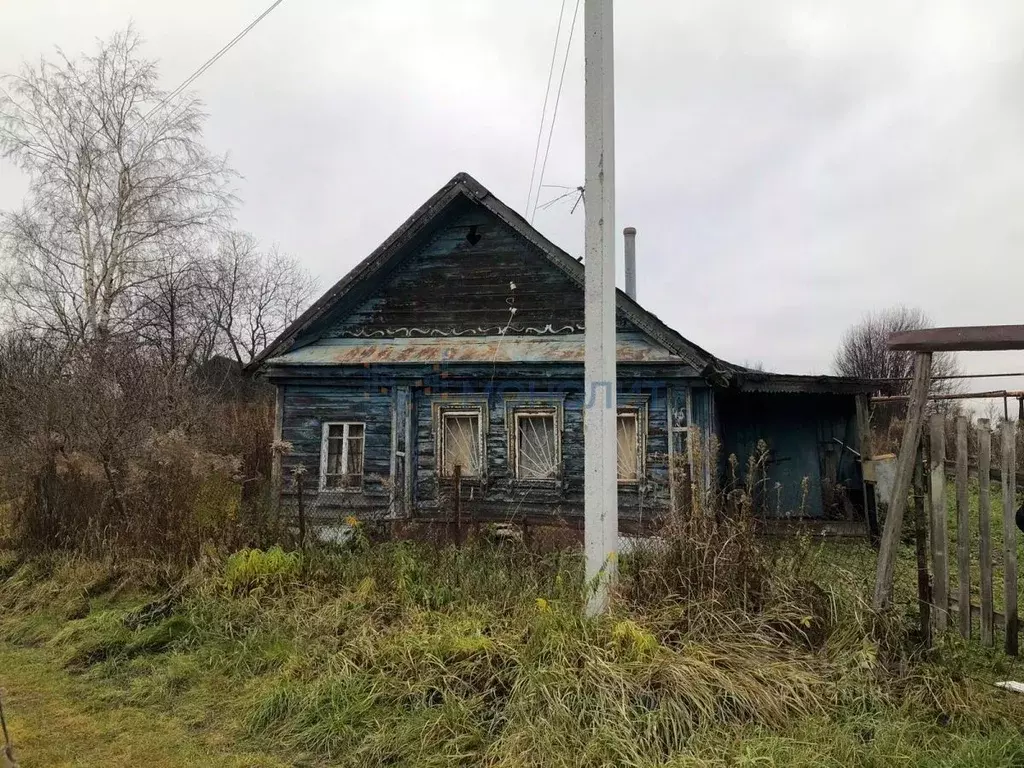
<point x="601" y="489"/>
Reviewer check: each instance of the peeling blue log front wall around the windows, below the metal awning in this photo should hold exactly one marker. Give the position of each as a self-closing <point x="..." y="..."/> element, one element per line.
<point x="368" y="395"/>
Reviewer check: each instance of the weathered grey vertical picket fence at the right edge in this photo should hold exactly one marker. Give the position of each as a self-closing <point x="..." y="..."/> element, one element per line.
<point x="938" y="607"/>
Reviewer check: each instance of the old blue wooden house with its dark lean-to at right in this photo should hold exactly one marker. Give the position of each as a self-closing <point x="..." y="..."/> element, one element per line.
<point x="459" y="344"/>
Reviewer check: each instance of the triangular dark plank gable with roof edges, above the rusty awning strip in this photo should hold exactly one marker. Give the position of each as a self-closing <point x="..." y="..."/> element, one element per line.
<point x="360" y="305"/>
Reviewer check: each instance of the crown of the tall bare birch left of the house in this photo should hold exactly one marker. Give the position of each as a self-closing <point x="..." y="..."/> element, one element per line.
<point x="115" y="177"/>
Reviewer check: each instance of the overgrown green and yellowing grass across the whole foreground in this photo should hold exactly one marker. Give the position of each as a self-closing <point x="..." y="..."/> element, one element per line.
<point x="410" y="656"/>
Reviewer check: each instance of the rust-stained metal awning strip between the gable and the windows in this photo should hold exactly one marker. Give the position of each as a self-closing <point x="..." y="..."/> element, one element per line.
<point x="466" y="350"/>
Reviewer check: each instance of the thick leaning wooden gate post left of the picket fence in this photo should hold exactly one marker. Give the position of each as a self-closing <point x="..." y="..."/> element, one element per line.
<point x="902" y="485"/>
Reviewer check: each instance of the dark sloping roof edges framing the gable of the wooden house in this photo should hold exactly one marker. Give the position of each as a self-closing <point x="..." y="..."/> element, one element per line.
<point x="466" y="187"/>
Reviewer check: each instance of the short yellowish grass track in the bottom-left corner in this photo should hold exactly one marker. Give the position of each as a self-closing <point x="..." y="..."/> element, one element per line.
<point x="54" y="722"/>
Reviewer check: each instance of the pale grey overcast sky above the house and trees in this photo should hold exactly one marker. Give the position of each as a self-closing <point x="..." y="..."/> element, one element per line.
<point x="790" y="164"/>
